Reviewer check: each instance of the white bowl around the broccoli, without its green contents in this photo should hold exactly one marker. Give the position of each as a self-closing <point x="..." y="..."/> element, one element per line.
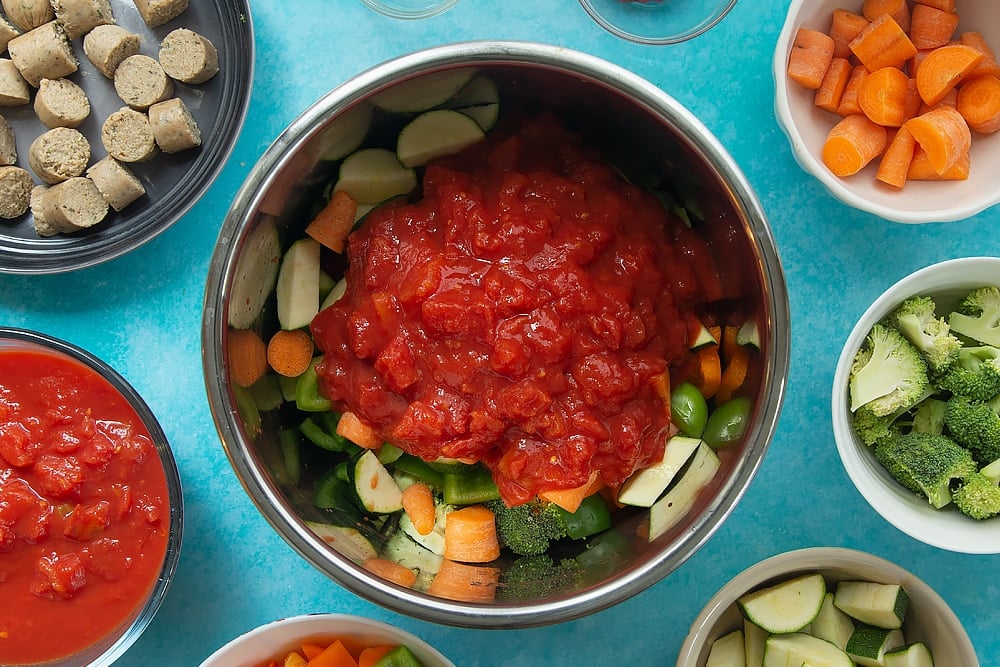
<point x="946" y="282"/>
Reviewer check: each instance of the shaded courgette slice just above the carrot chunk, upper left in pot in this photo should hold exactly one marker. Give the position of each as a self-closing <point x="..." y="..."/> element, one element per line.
<point x="373" y="175"/>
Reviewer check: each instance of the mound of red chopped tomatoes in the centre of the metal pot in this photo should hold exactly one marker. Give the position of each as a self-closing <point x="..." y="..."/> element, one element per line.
<point x="517" y="314"/>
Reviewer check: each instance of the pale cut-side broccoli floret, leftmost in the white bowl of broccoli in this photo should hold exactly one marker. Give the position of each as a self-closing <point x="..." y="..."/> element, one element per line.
<point x="888" y="373"/>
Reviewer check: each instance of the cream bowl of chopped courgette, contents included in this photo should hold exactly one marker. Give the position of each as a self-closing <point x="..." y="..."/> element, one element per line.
<point x="827" y="606"/>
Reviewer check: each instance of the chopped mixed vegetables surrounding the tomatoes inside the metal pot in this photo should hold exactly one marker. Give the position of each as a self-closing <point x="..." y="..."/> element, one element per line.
<point x="440" y="525"/>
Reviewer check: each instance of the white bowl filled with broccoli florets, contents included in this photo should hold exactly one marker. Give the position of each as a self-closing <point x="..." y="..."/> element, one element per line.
<point x="916" y="405"/>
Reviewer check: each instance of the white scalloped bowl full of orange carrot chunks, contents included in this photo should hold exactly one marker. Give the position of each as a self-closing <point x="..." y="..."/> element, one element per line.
<point x="894" y="105"/>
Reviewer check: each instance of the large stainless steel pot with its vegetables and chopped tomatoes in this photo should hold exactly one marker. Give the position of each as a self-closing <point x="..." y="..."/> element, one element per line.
<point x="493" y="341"/>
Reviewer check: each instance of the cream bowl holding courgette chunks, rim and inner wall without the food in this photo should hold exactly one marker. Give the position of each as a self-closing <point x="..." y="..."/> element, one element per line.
<point x="928" y="619"/>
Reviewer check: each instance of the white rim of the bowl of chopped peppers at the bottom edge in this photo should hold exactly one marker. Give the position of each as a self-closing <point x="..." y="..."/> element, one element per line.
<point x="304" y="625"/>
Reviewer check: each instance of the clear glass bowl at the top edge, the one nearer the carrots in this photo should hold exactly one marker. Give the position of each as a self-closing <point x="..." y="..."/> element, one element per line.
<point x="657" y="21"/>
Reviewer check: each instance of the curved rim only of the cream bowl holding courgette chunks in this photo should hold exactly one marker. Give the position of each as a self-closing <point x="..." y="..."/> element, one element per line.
<point x="818" y="559"/>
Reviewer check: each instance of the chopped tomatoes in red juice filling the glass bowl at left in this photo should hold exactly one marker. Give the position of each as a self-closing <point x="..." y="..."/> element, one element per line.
<point x="84" y="513"/>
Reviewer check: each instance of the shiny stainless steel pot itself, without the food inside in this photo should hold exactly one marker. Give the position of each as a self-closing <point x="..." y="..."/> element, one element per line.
<point x="607" y="105"/>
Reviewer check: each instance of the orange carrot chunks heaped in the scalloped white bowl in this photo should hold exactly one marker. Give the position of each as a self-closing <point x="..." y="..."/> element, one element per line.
<point x="911" y="92"/>
